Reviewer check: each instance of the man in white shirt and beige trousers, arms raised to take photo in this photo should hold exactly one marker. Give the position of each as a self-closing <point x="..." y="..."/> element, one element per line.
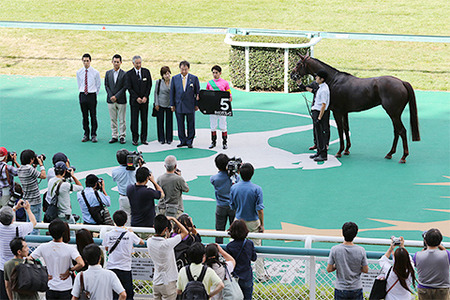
<point x="160" y="250"/>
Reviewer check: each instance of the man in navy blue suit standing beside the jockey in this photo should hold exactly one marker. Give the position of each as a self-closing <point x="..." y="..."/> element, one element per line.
<point x="184" y="90"/>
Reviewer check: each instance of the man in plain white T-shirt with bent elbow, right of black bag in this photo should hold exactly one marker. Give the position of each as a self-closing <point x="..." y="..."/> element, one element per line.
<point x="58" y="258"/>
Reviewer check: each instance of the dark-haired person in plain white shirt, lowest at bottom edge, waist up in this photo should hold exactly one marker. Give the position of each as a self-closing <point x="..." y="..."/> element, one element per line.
<point x="98" y="282"/>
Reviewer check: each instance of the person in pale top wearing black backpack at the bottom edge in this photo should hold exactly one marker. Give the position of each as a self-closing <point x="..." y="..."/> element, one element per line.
<point x="195" y="280"/>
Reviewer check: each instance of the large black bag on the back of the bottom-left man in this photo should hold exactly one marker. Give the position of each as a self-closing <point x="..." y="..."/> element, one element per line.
<point x="29" y="277"/>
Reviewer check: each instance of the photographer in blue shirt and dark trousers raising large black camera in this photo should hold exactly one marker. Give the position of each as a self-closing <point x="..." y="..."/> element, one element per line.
<point x="222" y="185"/>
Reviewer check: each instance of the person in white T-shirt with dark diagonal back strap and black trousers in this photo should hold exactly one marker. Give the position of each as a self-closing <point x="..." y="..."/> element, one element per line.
<point x="119" y="242"/>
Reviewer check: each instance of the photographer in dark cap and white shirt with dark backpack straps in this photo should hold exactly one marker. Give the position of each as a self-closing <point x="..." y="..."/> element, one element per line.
<point x="62" y="174"/>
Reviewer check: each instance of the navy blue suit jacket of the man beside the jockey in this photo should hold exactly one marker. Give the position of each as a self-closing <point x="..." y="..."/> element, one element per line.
<point x="184" y="101"/>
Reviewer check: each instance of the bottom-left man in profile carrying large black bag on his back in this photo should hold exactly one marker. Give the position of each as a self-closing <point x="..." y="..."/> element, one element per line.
<point x="20" y="250"/>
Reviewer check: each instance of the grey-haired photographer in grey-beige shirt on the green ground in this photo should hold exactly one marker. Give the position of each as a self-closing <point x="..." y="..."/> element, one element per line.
<point x="173" y="186"/>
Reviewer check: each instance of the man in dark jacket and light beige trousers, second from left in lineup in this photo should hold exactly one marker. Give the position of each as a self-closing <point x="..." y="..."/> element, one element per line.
<point x="117" y="99"/>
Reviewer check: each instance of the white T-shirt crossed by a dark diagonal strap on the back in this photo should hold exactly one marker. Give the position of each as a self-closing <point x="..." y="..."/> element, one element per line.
<point x="121" y="257"/>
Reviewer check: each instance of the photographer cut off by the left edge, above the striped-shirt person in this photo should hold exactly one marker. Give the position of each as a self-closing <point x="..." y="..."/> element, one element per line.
<point x="7" y="174"/>
